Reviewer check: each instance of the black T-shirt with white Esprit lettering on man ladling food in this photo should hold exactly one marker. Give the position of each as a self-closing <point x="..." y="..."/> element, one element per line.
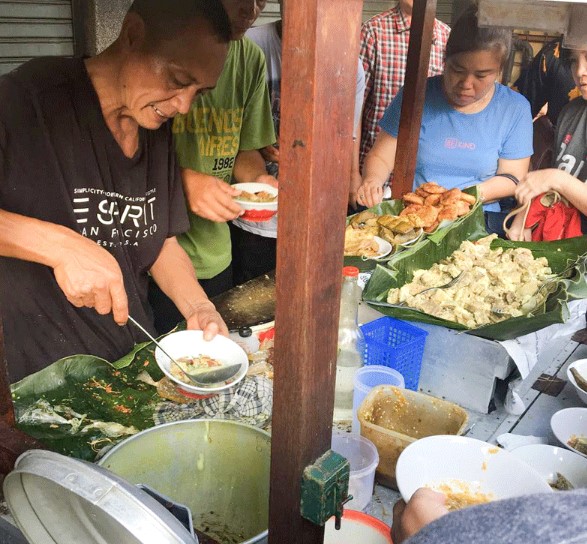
<point x="60" y="163"/>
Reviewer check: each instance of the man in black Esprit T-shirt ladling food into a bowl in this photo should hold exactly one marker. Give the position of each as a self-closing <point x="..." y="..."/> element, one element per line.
<point x="90" y="195"/>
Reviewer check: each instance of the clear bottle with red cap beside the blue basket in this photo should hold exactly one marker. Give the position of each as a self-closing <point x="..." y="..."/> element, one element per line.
<point x="351" y="345"/>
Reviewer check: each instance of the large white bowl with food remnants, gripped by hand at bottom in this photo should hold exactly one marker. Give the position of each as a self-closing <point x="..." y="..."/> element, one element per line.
<point x="459" y="461"/>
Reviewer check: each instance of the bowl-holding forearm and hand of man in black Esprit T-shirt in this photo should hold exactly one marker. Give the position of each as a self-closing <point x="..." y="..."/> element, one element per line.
<point x="174" y="274"/>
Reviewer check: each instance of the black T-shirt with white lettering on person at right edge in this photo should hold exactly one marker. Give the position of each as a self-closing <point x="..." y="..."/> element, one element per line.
<point x="571" y="143"/>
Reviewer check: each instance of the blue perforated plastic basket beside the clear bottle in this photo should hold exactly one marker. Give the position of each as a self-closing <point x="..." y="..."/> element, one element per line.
<point x="396" y="344"/>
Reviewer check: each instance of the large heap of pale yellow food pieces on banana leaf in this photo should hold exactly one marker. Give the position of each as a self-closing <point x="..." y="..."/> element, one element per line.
<point x="493" y="285"/>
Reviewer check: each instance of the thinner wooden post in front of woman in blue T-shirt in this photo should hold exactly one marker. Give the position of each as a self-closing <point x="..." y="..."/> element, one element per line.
<point x="421" y="34"/>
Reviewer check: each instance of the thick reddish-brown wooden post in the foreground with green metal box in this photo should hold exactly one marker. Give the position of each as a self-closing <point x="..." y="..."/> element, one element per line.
<point x="320" y="57"/>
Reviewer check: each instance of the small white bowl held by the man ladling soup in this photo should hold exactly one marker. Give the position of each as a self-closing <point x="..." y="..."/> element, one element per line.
<point x="191" y="344"/>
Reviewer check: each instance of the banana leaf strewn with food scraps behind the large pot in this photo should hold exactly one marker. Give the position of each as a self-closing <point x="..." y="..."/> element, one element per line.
<point x="81" y="405"/>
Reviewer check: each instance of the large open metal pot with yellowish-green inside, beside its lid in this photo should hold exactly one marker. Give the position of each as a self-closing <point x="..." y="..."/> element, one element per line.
<point x="219" y="469"/>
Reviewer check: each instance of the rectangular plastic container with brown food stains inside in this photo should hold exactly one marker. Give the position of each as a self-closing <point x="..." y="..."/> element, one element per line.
<point x="393" y="418"/>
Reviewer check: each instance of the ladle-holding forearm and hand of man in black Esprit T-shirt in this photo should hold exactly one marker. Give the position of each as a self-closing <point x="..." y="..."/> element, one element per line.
<point x="87" y="274"/>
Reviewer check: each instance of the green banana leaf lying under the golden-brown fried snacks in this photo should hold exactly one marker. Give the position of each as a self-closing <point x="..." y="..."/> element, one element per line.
<point x="468" y="227"/>
